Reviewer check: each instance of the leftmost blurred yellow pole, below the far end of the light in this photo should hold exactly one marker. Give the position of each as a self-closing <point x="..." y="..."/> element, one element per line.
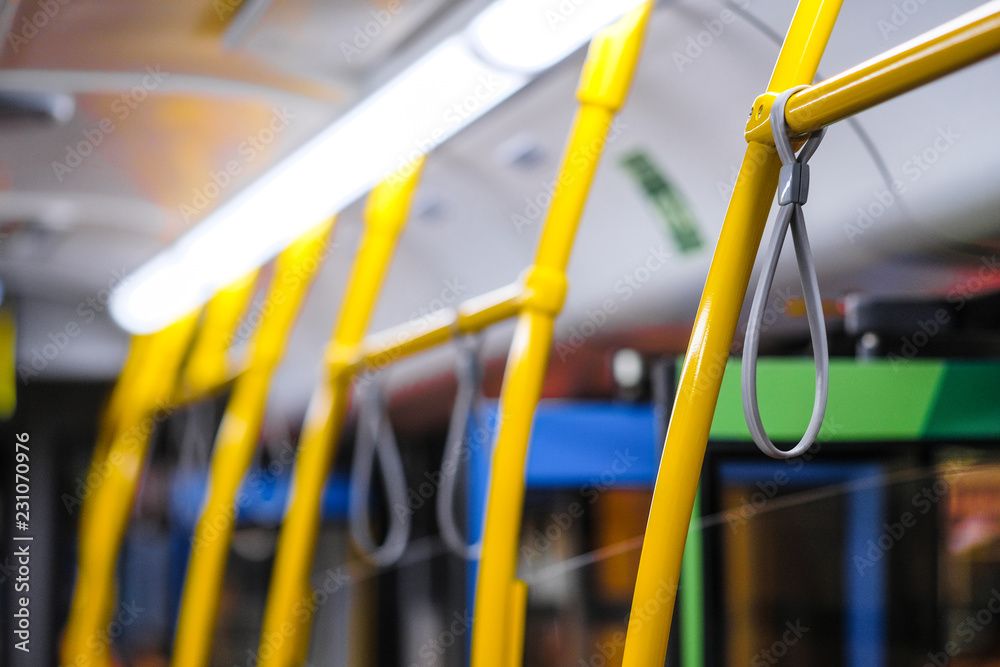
<point x="86" y="640"/>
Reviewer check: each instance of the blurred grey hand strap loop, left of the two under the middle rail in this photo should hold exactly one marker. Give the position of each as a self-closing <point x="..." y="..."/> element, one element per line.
<point x="375" y="438"/>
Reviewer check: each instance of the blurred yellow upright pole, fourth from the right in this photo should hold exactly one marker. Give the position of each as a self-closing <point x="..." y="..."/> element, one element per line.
<point x="235" y="445"/>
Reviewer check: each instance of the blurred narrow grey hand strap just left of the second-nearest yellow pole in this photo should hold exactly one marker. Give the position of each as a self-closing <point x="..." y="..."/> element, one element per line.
<point x="469" y="374"/>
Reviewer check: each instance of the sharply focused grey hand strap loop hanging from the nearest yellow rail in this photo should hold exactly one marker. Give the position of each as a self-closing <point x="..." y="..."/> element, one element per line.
<point x="793" y="191"/>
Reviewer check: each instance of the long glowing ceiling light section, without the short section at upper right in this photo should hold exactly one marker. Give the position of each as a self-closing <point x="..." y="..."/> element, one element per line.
<point x="424" y="106"/>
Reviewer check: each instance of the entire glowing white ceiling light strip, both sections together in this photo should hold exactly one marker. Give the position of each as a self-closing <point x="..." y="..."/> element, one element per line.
<point x="450" y="87"/>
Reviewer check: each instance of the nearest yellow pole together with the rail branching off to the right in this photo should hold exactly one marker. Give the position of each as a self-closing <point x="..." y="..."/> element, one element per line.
<point x="962" y="42"/>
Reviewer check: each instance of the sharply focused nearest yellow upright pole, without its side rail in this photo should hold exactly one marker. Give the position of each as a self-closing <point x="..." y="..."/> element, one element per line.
<point x="711" y="339"/>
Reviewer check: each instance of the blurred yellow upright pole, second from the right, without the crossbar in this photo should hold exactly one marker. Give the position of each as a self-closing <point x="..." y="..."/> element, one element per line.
<point x="500" y="598"/>
